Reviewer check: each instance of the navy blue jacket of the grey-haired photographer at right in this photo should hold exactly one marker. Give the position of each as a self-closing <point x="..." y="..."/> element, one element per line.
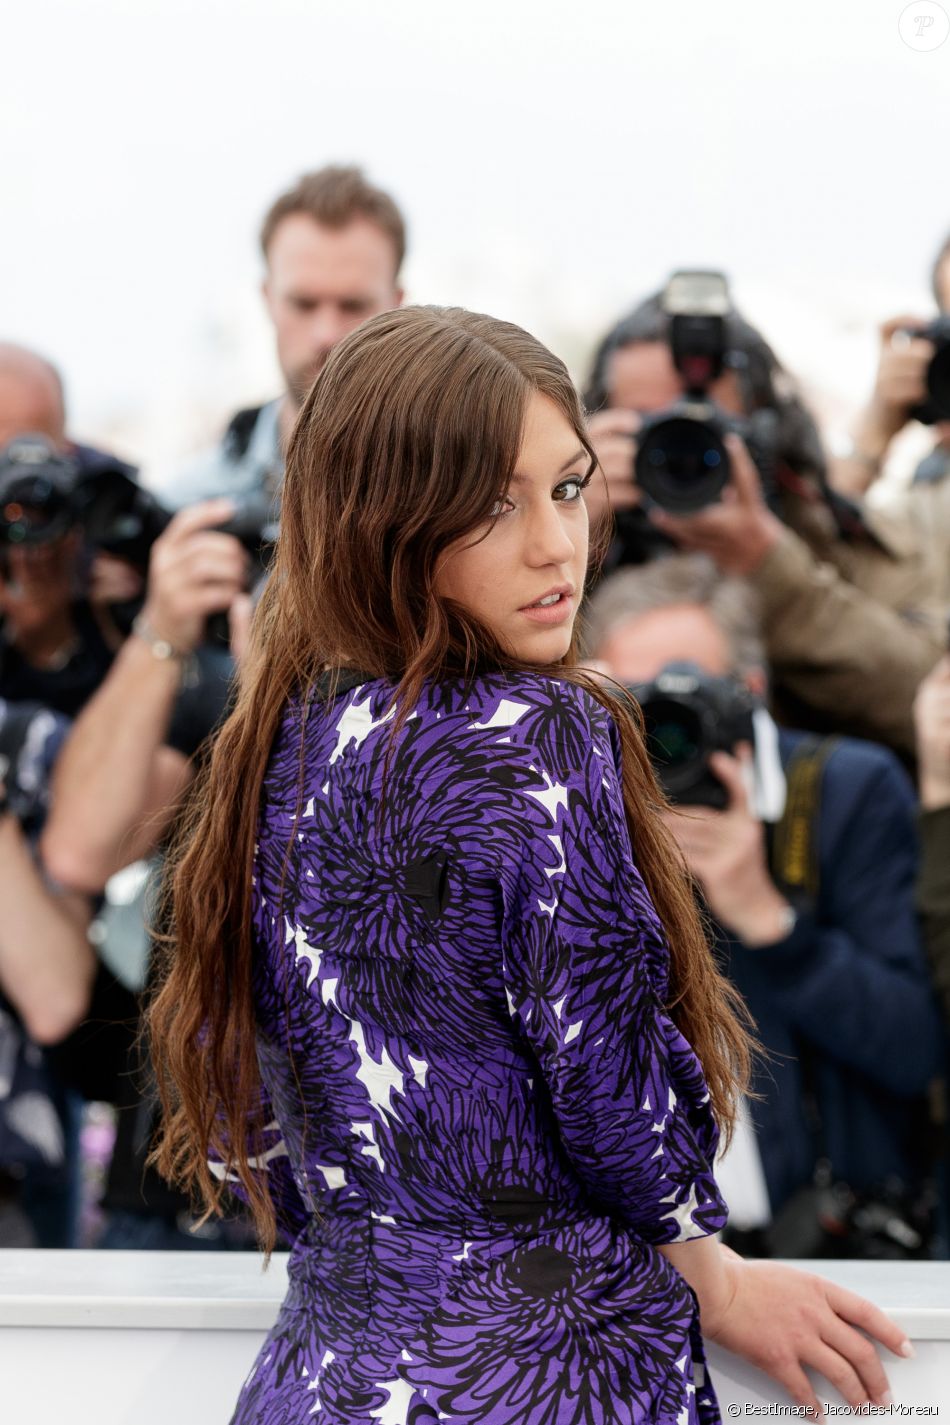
<point x="850" y="988"/>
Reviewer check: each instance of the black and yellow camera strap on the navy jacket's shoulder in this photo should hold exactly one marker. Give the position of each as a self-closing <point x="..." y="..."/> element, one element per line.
<point x="794" y="841"/>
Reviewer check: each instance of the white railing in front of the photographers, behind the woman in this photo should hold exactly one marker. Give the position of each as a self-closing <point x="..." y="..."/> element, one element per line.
<point x="150" y="1339"/>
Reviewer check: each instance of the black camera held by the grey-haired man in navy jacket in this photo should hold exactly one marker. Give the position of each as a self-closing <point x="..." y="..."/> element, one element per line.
<point x="687" y="716"/>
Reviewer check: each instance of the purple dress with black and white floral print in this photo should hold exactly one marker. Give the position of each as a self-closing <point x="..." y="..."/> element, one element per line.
<point x="484" y="1121"/>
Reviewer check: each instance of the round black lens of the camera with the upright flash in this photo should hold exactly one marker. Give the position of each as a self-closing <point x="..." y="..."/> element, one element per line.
<point x="682" y="464"/>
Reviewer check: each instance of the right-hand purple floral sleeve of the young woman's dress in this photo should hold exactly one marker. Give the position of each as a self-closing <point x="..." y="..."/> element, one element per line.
<point x="586" y="970"/>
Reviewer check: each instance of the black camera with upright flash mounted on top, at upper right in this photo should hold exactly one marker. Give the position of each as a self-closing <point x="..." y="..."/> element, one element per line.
<point x="682" y="462"/>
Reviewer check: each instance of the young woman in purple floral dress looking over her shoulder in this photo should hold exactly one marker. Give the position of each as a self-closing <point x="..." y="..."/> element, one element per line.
<point x="428" y="880"/>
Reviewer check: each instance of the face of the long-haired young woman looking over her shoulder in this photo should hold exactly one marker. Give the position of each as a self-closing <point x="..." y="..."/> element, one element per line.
<point x="536" y="548"/>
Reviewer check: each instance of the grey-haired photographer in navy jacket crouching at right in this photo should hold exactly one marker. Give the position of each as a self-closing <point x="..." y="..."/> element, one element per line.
<point x="805" y="854"/>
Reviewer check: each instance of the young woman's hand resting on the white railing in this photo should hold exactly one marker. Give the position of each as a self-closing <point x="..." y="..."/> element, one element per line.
<point x="784" y="1320"/>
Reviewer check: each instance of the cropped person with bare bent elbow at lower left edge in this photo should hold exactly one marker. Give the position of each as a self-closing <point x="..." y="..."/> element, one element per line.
<point x="46" y="977"/>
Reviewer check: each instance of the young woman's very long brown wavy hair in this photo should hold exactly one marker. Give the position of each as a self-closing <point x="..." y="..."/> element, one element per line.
<point x="404" y="447"/>
